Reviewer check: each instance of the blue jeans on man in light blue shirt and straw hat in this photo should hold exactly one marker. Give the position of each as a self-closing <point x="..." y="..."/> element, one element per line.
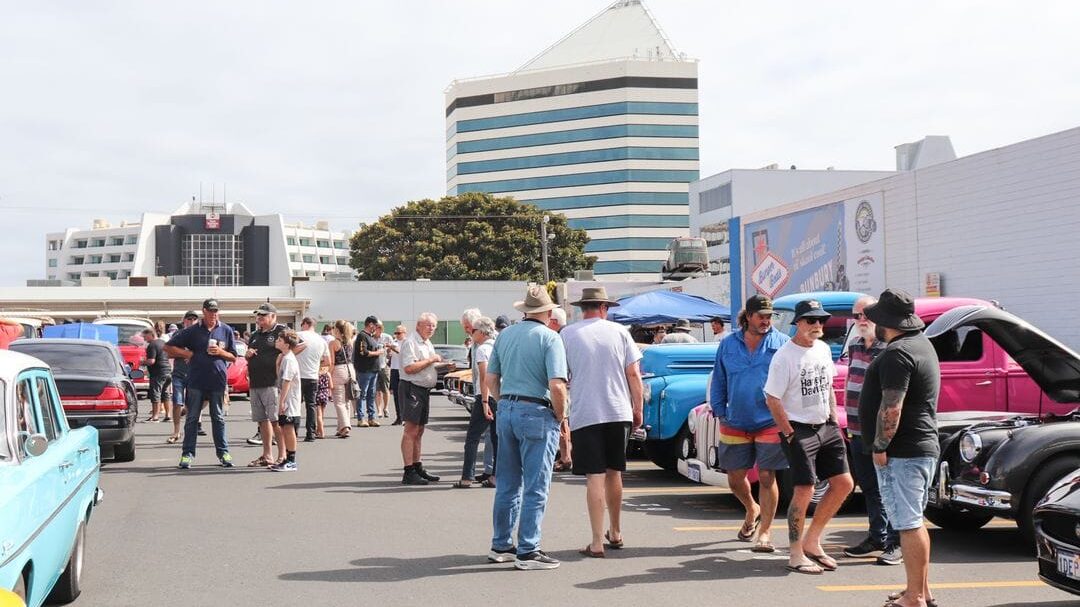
<point x="529" y="438"/>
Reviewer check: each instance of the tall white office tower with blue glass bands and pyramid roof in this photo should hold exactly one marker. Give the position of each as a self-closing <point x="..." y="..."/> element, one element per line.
<point x="601" y="127"/>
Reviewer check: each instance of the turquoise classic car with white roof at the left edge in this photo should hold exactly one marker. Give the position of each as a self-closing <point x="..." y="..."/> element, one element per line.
<point x="49" y="485"/>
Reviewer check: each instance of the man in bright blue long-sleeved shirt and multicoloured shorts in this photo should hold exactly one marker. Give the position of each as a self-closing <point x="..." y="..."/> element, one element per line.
<point x="749" y="436"/>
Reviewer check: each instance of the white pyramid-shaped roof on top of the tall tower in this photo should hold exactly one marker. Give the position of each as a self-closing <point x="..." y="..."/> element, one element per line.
<point x="626" y="30"/>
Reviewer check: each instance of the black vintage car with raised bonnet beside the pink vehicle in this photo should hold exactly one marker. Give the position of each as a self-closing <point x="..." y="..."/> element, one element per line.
<point x="1000" y="465"/>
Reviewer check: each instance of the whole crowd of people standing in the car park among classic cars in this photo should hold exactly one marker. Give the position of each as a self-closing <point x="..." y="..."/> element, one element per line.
<point x="773" y="397"/>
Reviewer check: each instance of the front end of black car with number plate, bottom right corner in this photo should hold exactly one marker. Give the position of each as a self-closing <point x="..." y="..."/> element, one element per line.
<point x="1058" y="535"/>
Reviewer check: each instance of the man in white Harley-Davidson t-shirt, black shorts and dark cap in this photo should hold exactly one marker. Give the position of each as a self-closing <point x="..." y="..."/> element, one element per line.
<point x="800" y="395"/>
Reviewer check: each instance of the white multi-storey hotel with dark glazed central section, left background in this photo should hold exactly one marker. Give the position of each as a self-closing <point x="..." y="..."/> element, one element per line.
<point x="198" y="245"/>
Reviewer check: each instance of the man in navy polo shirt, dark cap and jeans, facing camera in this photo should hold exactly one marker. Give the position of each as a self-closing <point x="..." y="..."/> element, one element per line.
<point x="208" y="347"/>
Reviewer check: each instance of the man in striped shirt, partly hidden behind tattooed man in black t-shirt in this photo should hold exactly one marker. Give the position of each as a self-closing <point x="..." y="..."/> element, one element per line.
<point x="883" y="542"/>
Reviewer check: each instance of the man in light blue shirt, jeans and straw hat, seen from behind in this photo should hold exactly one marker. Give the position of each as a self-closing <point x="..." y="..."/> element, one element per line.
<point x="528" y="375"/>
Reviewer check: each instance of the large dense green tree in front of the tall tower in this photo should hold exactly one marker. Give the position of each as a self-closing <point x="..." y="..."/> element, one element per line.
<point x="467" y="237"/>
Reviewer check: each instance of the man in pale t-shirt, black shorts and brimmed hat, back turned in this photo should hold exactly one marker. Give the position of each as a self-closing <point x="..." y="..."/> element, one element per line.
<point x="607" y="396"/>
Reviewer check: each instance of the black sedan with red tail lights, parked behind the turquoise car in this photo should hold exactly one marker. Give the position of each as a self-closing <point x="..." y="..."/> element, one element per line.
<point x="96" y="387"/>
